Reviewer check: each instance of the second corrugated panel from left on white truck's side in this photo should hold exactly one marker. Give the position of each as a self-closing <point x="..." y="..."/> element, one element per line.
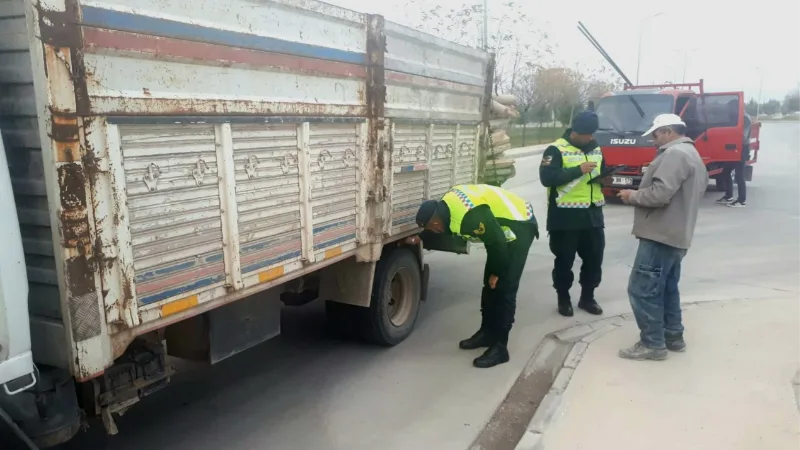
<point x="267" y="194"/>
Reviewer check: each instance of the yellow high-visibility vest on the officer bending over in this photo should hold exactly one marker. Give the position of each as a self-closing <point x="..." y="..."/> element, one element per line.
<point x="504" y="205"/>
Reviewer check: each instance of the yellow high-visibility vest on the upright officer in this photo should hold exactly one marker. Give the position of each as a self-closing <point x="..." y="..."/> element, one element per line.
<point x="578" y="193"/>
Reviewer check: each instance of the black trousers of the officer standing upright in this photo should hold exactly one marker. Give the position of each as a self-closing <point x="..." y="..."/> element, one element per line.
<point x="589" y="244"/>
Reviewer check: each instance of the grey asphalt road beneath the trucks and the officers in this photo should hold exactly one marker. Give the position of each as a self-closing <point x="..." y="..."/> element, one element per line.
<point x="305" y="391"/>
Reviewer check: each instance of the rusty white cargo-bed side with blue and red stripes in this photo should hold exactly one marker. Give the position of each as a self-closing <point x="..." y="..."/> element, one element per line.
<point x="228" y="147"/>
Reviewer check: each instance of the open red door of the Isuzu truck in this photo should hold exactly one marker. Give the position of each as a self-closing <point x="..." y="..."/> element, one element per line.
<point x="716" y="122"/>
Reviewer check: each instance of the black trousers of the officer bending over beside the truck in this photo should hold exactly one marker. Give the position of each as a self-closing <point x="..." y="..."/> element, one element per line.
<point x="499" y="305"/>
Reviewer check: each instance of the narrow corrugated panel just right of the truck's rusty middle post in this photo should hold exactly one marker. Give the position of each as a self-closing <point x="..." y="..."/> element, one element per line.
<point x="409" y="158"/>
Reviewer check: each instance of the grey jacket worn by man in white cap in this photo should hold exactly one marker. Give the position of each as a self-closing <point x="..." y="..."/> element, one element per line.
<point x="669" y="195"/>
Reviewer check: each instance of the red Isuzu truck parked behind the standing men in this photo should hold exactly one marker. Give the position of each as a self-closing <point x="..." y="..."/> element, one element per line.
<point x="716" y="121"/>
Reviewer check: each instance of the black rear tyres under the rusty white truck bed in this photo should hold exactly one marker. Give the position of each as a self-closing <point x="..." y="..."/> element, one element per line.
<point x="394" y="306"/>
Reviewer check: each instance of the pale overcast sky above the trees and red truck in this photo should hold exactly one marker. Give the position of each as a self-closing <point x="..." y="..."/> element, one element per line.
<point x="729" y="46"/>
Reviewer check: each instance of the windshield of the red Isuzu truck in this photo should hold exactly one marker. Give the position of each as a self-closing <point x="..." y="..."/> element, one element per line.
<point x="632" y="113"/>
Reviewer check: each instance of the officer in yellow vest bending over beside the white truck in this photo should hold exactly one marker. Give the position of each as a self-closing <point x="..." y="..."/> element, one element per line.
<point x="507" y="227"/>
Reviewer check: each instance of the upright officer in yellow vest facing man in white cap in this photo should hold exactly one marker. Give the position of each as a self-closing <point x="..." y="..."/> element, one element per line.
<point x="571" y="171"/>
